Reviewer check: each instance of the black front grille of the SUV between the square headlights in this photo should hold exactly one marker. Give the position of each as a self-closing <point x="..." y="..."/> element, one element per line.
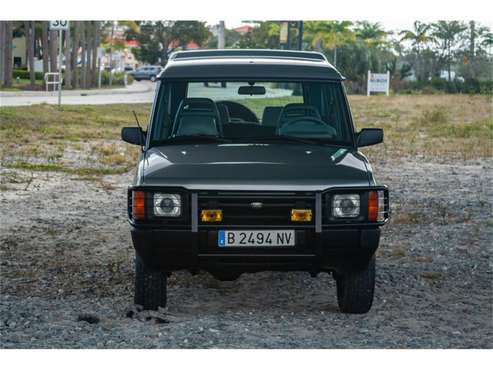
<point x="275" y="209"/>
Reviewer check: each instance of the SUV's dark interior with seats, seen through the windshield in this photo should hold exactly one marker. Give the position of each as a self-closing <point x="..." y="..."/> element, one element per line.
<point x="318" y="115"/>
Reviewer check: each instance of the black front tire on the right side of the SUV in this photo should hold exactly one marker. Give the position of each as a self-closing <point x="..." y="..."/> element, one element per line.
<point x="355" y="289"/>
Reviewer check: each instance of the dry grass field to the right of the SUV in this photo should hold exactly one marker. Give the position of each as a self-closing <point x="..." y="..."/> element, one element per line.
<point x="428" y="126"/>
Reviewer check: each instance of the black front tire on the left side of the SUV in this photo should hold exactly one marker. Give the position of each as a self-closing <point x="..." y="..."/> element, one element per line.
<point x="150" y="286"/>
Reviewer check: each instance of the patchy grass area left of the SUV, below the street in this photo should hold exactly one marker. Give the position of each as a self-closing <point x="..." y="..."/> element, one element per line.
<point x="81" y="140"/>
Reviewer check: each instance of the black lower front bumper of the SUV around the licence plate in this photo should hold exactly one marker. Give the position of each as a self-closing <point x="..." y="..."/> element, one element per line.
<point x="330" y="250"/>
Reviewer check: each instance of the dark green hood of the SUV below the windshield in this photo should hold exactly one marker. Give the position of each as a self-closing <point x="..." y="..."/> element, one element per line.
<point x="254" y="166"/>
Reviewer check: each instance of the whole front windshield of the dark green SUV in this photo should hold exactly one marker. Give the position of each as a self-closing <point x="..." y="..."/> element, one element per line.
<point x="303" y="112"/>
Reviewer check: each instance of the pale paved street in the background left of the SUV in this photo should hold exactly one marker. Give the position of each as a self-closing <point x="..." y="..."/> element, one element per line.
<point x="138" y="92"/>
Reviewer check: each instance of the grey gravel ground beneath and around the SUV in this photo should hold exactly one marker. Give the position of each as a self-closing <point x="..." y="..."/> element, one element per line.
<point x="66" y="268"/>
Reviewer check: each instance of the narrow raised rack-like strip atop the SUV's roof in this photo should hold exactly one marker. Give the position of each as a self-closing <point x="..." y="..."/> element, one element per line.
<point x="248" y="53"/>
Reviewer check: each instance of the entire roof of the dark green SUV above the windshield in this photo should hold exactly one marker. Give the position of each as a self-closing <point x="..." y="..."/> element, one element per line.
<point x="248" y="64"/>
